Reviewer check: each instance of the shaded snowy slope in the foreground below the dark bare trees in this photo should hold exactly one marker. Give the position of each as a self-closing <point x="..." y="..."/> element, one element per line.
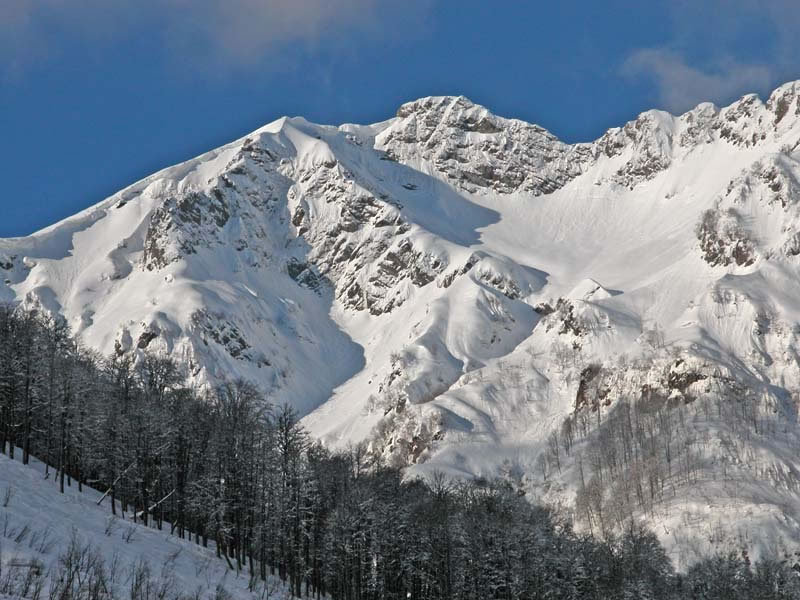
<point x="39" y="526"/>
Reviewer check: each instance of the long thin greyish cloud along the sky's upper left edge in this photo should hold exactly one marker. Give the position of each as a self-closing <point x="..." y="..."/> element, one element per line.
<point x="220" y="32"/>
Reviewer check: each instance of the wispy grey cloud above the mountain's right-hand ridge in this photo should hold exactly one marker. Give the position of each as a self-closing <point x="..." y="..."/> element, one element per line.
<point x="719" y="50"/>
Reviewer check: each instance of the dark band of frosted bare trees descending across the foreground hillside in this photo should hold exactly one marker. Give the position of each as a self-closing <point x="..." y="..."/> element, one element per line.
<point x="224" y="468"/>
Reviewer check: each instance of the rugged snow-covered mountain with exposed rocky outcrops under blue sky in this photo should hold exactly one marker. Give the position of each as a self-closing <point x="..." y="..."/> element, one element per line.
<point x="464" y="292"/>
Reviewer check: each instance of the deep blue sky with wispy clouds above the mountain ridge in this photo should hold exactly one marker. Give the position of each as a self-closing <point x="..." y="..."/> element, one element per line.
<point x="95" y="94"/>
